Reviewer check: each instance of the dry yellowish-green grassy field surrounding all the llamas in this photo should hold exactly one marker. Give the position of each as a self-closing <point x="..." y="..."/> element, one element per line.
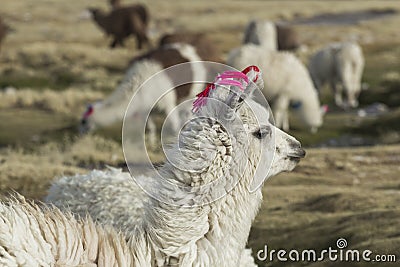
<point x="56" y="61"/>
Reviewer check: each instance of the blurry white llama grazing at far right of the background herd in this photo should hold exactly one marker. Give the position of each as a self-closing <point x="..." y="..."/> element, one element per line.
<point x="341" y="66"/>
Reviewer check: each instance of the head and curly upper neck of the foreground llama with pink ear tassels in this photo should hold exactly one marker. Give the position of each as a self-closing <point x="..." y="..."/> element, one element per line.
<point x="230" y="140"/>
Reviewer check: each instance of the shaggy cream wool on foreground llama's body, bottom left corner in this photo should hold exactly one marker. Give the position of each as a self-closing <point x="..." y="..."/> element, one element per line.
<point x="44" y="236"/>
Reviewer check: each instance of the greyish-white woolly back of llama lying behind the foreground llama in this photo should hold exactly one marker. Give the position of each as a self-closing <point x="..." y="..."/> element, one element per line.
<point x="110" y="197"/>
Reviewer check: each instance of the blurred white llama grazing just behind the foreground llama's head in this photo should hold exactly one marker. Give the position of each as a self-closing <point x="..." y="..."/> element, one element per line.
<point x="289" y="84"/>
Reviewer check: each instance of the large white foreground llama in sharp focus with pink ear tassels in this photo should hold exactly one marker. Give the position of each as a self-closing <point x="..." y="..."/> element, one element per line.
<point x="207" y="208"/>
